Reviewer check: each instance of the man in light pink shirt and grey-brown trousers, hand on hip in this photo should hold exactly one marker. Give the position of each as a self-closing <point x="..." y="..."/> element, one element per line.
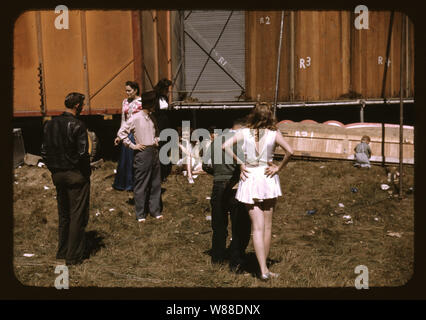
<point x="147" y="174"/>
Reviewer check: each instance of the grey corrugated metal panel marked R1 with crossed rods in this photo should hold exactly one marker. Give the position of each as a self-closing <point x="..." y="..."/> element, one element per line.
<point x="214" y="84"/>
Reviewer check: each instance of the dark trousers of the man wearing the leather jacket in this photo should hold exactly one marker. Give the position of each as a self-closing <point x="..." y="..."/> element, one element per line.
<point x="73" y="195"/>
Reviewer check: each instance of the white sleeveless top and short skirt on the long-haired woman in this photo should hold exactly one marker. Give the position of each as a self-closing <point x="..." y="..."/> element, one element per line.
<point x="258" y="186"/>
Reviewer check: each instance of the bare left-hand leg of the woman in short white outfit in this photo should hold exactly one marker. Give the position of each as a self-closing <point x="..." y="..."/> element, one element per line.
<point x="258" y="230"/>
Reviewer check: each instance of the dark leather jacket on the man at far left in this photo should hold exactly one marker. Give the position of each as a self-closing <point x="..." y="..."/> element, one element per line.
<point x="65" y="144"/>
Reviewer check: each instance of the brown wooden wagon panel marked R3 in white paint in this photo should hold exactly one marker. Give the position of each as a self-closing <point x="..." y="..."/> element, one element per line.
<point x="322" y="55"/>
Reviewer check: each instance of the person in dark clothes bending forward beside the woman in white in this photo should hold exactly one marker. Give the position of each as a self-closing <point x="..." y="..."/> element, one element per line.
<point x="225" y="177"/>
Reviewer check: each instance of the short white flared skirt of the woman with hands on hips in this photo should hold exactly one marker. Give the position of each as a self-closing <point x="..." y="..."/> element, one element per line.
<point x="258" y="186"/>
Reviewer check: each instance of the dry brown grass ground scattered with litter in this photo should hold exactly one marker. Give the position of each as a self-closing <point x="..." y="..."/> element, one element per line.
<point x="317" y="250"/>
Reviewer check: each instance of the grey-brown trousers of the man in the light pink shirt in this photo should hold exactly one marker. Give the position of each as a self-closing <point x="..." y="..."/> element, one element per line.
<point x="147" y="182"/>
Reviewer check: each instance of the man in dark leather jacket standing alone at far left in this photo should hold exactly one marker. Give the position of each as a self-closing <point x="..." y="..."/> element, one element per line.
<point x="65" y="152"/>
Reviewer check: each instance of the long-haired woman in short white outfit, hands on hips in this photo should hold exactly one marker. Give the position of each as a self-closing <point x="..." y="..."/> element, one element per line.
<point x="259" y="184"/>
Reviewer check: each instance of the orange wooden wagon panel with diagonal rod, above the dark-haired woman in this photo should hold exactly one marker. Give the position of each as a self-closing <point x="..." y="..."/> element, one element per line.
<point x="111" y="55"/>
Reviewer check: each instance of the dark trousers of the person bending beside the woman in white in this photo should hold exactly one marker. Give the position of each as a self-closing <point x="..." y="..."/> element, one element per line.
<point x="223" y="201"/>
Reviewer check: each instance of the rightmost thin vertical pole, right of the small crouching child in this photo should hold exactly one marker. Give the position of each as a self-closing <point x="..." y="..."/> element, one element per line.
<point x="401" y="105"/>
